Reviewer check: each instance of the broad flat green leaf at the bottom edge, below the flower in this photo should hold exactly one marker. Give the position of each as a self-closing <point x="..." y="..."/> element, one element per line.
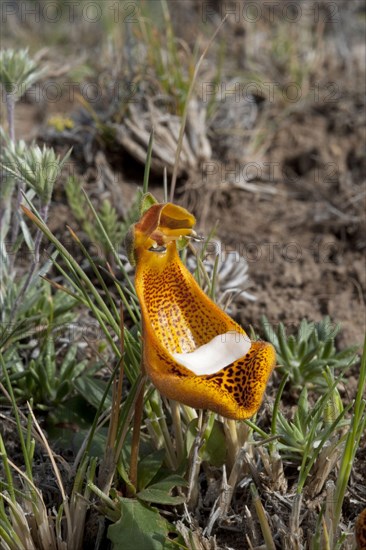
<point x="139" y="527"/>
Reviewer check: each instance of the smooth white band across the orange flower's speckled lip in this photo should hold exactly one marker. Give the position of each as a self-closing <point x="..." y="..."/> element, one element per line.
<point x="217" y="354"/>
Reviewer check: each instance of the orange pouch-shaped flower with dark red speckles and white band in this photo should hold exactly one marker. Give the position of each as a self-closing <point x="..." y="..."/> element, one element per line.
<point x="192" y="351"/>
